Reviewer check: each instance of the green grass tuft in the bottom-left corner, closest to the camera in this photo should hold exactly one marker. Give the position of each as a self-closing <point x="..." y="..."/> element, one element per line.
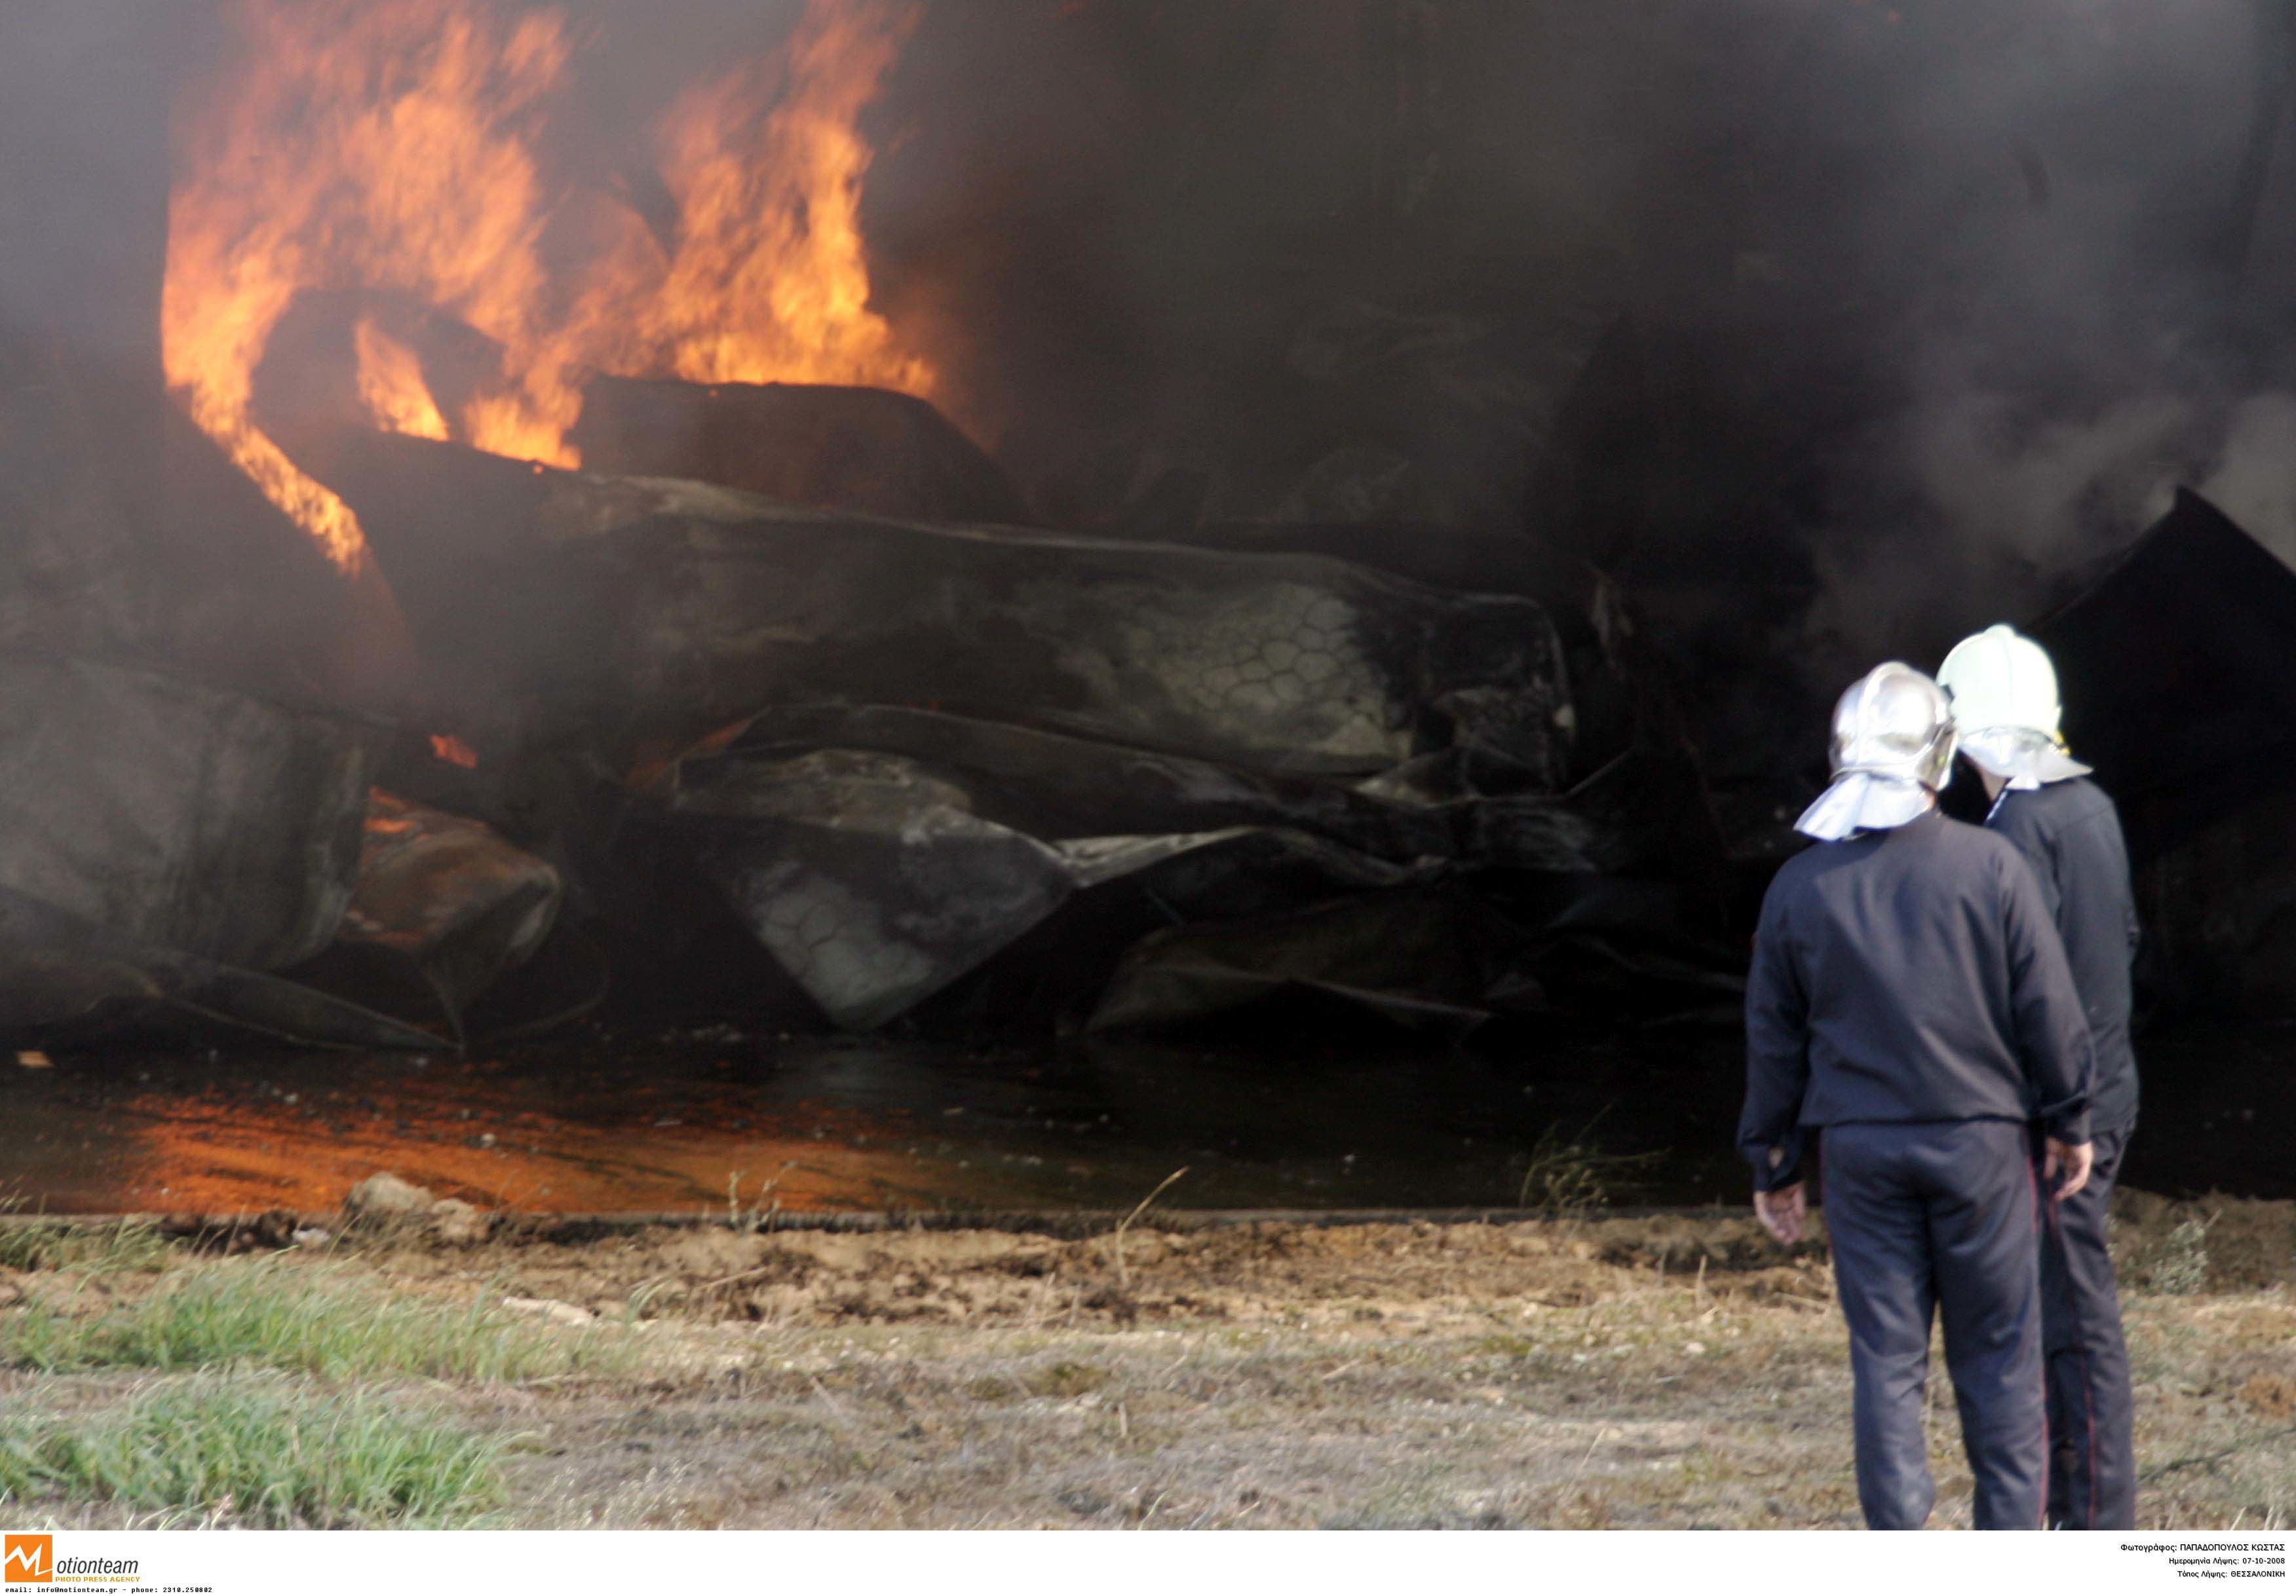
<point x="258" y="1455"/>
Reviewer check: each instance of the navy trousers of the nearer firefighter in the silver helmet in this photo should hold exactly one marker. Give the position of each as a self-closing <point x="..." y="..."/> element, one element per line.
<point x="1941" y="1221"/>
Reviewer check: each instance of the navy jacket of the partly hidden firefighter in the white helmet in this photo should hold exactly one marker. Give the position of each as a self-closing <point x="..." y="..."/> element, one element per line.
<point x="2072" y="839"/>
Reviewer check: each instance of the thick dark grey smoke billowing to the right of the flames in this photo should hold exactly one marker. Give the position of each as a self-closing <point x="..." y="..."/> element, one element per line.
<point x="1941" y="293"/>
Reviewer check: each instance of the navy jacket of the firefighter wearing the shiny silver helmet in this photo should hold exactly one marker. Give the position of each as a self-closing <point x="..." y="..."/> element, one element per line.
<point x="1909" y="975"/>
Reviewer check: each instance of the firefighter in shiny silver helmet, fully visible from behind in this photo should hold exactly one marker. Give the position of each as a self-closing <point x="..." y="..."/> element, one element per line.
<point x="1911" y="1009"/>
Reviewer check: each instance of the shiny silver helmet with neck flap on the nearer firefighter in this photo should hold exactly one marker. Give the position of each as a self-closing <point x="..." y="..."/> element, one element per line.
<point x="1893" y="752"/>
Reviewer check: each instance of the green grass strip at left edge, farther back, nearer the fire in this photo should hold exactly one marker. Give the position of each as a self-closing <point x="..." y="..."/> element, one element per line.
<point x="304" y="1319"/>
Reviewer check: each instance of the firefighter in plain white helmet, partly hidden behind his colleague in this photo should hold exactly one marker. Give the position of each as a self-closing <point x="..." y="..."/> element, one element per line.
<point x="2006" y="708"/>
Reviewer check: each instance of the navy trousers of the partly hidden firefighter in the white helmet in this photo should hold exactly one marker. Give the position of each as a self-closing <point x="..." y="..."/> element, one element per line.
<point x="2093" y="1469"/>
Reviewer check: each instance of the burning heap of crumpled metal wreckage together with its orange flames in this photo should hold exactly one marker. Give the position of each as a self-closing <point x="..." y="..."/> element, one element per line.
<point x="789" y="640"/>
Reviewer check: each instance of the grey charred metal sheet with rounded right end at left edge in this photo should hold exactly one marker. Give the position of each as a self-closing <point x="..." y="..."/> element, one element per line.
<point x="178" y="816"/>
